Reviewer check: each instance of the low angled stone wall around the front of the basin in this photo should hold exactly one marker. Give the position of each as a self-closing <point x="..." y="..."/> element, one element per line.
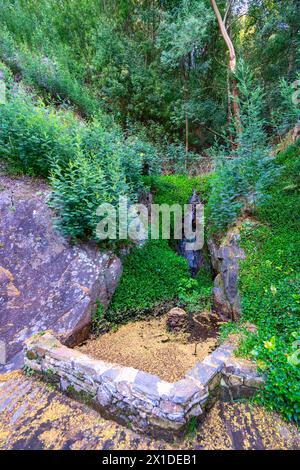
<point x="138" y="399"/>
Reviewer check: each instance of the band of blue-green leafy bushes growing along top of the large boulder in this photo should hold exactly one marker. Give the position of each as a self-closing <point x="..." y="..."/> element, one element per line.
<point x="87" y="165"/>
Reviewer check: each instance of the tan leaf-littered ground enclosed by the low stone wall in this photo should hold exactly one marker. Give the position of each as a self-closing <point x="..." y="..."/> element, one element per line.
<point x="148" y="346"/>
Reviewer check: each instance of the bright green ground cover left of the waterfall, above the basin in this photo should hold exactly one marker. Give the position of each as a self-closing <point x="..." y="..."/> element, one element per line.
<point x="154" y="275"/>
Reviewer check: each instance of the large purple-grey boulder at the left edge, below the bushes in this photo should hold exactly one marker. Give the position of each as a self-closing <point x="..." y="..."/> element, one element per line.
<point x="45" y="283"/>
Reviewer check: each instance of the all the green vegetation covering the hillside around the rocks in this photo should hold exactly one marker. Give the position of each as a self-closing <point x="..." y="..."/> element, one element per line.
<point x="115" y="98"/>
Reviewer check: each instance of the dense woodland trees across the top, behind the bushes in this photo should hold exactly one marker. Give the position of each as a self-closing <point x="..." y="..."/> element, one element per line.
<point x="153" y="62"/>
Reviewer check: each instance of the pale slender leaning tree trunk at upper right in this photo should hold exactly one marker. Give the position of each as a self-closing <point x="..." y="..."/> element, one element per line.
<point x="232" y="66"/>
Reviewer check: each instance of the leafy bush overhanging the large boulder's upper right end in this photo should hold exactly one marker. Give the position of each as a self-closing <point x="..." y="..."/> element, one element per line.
<point x="80" y="187"/>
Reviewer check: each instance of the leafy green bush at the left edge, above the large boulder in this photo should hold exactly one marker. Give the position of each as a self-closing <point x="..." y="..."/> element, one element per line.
<point x="31" y="137"/>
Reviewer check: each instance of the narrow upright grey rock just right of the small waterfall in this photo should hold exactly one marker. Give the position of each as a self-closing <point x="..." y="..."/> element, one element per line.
<point x="225" y="259"/>
